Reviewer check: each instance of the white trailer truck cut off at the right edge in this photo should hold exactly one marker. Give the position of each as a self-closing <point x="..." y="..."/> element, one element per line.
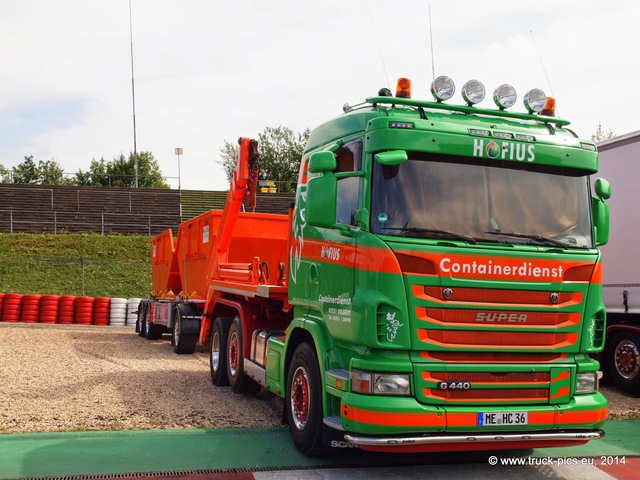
<point x="619" y="164"/>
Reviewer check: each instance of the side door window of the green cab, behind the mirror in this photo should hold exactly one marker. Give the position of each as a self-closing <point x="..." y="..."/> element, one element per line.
<point x="348" y="159"/>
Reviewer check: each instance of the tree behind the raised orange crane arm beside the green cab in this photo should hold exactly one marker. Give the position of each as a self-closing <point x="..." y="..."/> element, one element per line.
<point x="280" y="152"/>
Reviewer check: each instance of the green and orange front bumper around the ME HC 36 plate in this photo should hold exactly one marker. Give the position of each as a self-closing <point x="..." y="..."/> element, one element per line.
<point x="393" y="422"/>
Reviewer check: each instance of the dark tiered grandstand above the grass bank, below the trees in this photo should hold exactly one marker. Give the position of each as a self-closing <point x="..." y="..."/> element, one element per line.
<point x="111" y="210"/>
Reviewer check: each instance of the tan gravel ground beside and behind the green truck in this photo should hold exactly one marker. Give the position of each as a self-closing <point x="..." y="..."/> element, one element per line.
<point x="72" y="377"/>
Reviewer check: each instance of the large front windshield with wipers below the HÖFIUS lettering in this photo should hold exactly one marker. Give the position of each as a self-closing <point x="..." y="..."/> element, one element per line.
<point x="438" y="196"/>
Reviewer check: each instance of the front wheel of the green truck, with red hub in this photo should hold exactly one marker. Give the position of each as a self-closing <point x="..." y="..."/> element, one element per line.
<point x="303" y="401"/>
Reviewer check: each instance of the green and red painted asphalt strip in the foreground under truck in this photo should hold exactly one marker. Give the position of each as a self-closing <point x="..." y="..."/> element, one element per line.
<point x="268" y="454"/>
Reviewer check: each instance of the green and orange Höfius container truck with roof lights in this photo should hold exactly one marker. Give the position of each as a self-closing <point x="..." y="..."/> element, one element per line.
<point x="436" y="286"/>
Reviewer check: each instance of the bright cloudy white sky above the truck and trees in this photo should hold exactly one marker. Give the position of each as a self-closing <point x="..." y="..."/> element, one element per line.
<point x="206" y="71"/>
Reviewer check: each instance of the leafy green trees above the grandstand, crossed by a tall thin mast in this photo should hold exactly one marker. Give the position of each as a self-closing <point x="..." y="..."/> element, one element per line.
<point x="120" y="172"/>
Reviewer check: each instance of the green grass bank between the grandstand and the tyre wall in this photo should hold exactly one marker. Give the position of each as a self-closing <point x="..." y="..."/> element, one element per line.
<point x="75" y="264"/>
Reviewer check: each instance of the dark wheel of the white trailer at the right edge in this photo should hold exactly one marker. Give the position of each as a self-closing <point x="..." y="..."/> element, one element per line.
<point x="623" y="357"/>
